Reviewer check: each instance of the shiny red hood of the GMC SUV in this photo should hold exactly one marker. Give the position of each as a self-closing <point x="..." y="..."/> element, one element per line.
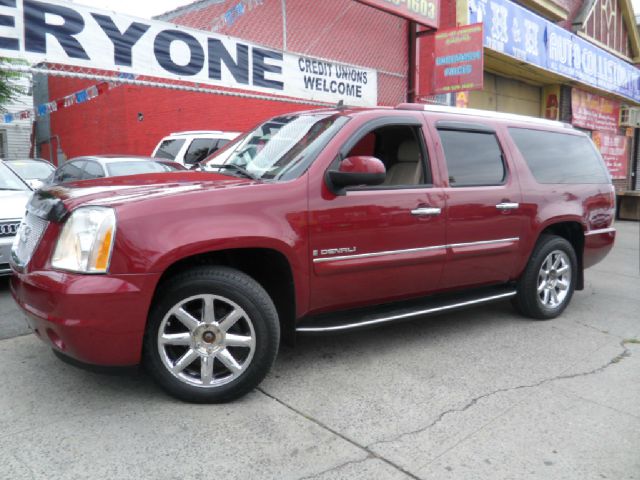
<point x="116" y="191"/>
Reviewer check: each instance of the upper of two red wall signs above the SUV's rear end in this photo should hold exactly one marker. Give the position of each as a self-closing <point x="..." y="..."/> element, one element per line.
<point x="594" y="112"/>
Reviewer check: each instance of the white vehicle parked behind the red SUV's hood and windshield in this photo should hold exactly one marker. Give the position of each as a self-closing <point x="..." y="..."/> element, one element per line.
<point x="189" y="148"/>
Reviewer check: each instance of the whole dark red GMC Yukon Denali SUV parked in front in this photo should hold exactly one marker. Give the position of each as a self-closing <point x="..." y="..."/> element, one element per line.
<point x="316" y="222"/>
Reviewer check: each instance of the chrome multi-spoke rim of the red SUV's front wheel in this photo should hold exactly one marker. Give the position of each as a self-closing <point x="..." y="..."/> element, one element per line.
<point x="206" y="341"/>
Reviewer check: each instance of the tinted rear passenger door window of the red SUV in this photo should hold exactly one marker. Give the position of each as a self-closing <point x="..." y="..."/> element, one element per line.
<point x="473" y="158"/>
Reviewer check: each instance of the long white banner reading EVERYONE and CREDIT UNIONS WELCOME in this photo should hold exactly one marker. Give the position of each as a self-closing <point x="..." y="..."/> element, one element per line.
<point x="60" y="32"/>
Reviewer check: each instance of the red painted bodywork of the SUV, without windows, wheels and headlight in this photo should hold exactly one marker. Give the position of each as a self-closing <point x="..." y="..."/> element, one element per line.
<point x="392" y="254"/>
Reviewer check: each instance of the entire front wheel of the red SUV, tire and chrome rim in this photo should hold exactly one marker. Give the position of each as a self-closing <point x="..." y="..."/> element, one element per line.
<point x="212" y="336"/>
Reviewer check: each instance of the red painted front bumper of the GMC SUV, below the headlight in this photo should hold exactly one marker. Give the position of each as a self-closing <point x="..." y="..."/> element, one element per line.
<point x="96" y="319"/>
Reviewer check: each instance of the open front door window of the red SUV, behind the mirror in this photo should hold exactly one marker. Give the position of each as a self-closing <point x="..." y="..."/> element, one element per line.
<point x="401" y="150"/>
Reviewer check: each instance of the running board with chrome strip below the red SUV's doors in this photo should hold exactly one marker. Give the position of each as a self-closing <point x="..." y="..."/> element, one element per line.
<point x="381" y="314"/>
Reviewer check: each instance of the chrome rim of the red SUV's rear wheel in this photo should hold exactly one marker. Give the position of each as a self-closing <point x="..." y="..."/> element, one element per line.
<point x="554" y="279"/>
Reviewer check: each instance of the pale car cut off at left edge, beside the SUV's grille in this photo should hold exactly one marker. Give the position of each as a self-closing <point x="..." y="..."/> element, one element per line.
<point x="14" y="195"/>
